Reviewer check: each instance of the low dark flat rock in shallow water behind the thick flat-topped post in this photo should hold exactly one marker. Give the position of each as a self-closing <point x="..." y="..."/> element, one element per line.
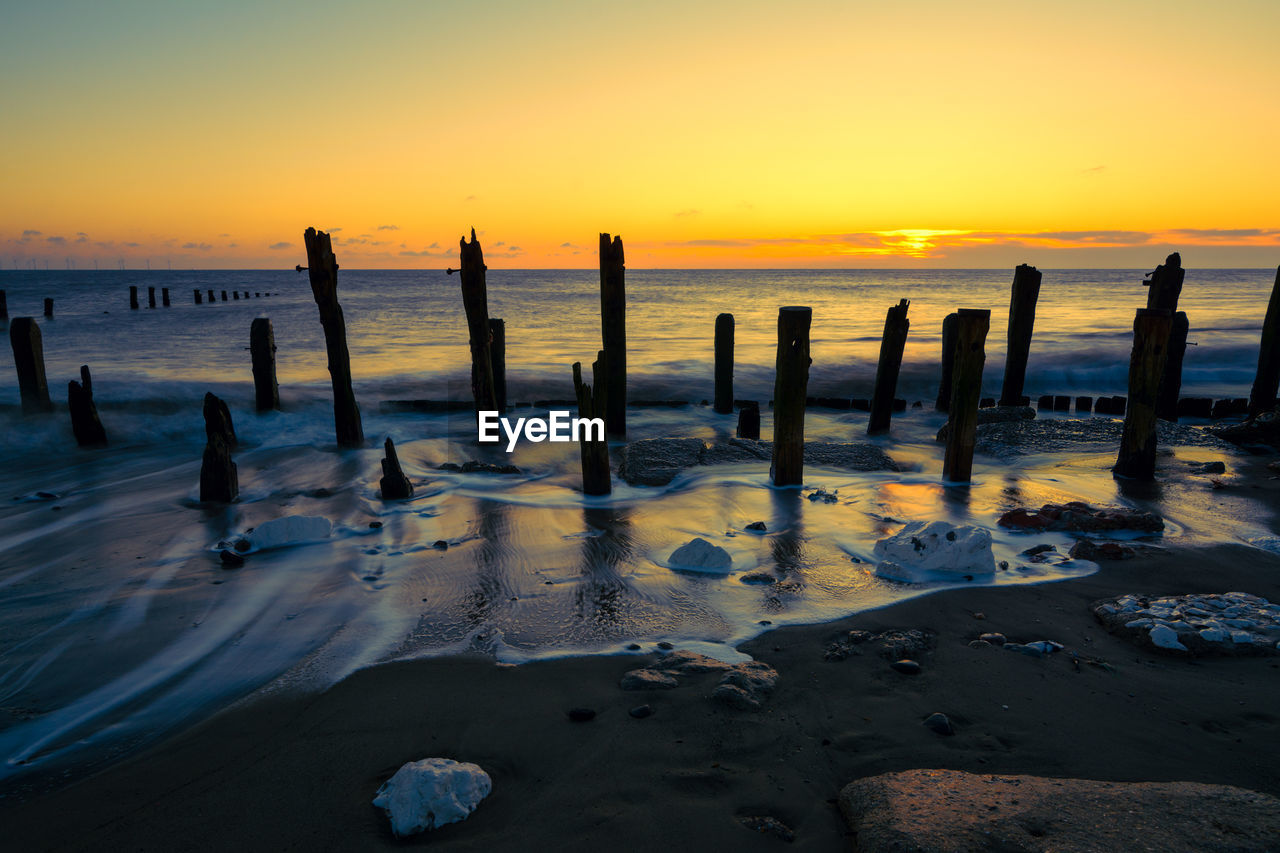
<point x="657" y="462"/>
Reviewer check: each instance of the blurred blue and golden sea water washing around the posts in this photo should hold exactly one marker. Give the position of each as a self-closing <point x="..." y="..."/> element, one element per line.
<point x="118" y="624"/>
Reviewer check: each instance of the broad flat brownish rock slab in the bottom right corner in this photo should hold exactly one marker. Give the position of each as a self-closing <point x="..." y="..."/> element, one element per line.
<point x="948" y="811"/>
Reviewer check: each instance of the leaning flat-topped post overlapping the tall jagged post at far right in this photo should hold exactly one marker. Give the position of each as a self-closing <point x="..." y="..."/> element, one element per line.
<point x="1137" y="458"/>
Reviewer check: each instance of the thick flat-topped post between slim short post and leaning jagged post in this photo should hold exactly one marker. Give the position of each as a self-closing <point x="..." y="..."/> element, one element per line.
<point x="790" y="386"/>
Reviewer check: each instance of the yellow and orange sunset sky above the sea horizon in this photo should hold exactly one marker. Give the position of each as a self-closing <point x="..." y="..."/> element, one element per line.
<point x="708" y="135"/>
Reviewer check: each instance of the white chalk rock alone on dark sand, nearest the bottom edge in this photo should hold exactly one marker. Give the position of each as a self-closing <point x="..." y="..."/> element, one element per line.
<point x="429" y="793"/>
